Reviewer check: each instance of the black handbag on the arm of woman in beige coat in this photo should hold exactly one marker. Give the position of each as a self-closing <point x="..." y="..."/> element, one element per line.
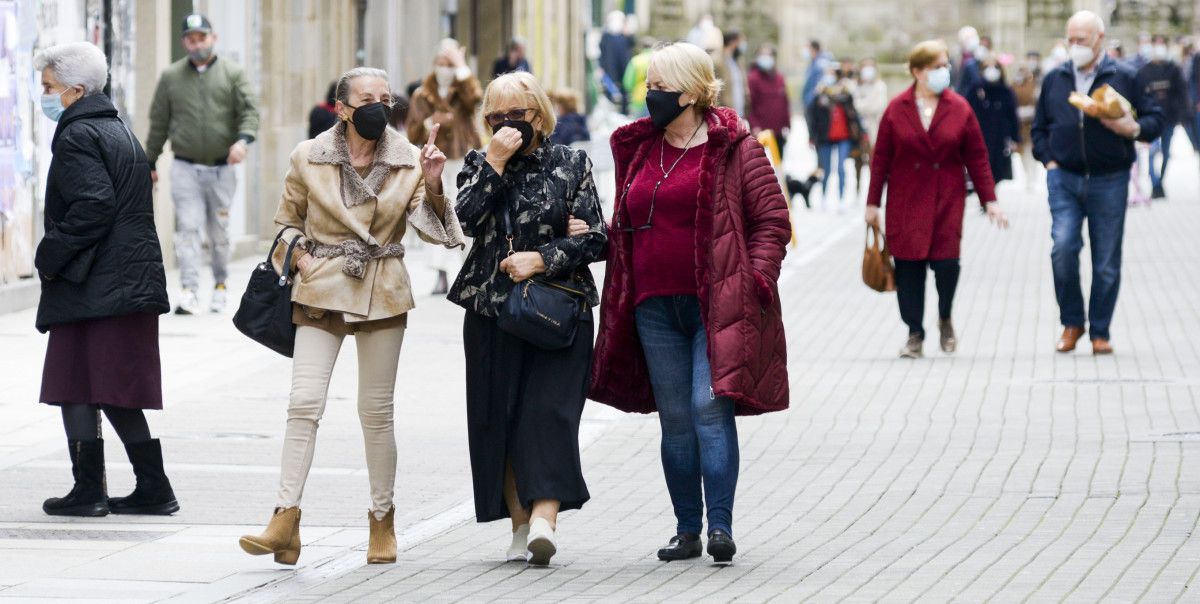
<point x="266" y="312"/>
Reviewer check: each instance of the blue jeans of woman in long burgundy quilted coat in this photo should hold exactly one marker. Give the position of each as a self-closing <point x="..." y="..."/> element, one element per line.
<point x="700" y="438"/>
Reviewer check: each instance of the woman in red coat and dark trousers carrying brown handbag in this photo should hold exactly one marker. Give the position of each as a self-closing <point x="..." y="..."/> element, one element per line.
<point x="927" y="137"/>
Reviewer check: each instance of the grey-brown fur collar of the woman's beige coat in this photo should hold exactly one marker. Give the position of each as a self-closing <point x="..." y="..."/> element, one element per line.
<point x="393" y="152"/>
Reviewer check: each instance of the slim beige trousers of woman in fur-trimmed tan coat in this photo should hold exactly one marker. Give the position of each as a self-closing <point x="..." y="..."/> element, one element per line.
<point x="316" y="351"/>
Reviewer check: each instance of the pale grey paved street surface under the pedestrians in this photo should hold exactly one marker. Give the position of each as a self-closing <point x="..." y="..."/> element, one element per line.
<point x="1004" y="473"/>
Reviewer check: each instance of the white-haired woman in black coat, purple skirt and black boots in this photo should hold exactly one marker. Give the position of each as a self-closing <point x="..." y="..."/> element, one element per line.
<point x="104" y="288"/>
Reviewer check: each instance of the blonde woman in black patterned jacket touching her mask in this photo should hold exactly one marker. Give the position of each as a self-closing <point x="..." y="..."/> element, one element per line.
<point x="533" y="211"/>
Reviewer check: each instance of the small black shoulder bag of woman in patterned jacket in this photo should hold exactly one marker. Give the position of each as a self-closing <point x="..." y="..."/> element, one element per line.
<point x="542" y="312"/>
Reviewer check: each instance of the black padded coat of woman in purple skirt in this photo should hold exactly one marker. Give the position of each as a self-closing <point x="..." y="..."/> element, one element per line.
<point x="100" y="256"/>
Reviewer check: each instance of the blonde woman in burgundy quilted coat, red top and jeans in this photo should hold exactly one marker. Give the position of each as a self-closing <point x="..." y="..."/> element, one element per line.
<point x="691" y="322"/>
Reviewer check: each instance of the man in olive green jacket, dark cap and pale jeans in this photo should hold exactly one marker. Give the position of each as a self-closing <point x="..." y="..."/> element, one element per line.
<point x="208" y="111"/>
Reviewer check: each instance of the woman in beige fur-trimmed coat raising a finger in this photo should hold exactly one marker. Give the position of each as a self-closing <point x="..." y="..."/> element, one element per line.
<point x="350" y="196"/>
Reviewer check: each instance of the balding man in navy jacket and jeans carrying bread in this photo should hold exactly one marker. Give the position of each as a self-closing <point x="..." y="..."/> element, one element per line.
<point x="1088" y="175"/>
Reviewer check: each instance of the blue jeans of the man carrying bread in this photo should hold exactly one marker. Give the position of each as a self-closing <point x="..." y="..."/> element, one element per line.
<point x="1102" y="201"/>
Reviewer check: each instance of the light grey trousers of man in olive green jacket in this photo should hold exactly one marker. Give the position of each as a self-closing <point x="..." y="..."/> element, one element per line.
<point x="202" y="196"/>
